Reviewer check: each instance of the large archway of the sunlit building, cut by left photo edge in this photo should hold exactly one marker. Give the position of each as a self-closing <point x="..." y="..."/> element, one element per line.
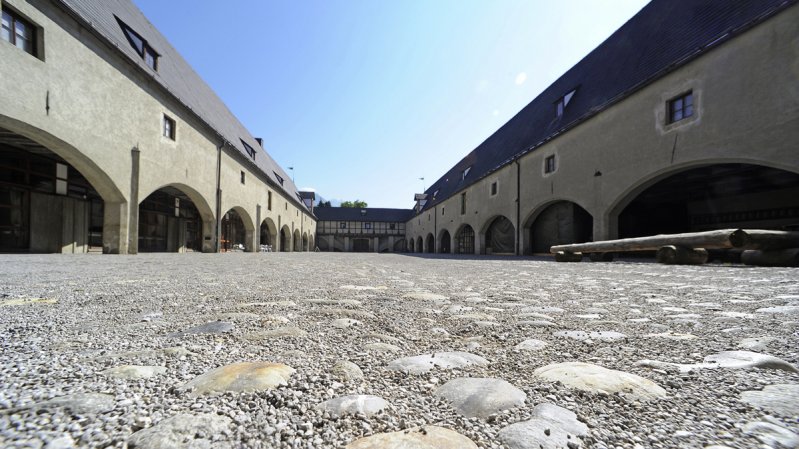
<point x="54" y="198"/>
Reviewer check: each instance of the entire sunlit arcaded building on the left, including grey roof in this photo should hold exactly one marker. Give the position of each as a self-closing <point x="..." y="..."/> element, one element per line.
<point x="110" y="141"/>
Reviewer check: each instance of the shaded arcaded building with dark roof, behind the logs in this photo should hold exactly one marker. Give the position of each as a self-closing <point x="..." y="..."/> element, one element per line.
<point x="685" y="119"/>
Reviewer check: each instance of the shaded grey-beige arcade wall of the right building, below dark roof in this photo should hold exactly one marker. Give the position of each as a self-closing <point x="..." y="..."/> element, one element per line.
<point x="746" y="100"/>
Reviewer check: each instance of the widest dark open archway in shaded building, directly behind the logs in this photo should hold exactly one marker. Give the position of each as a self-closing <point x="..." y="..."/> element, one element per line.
<point x="706" y="197"/>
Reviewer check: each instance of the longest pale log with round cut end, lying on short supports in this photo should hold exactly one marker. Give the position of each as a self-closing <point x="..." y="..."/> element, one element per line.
<point x="725" y="238"/>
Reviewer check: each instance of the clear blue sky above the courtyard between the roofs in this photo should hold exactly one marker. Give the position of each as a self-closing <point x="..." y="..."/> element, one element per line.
<point x="363" y="97"/>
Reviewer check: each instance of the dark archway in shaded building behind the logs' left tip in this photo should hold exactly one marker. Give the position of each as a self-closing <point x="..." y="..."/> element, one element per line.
<point x="556" y="223"/>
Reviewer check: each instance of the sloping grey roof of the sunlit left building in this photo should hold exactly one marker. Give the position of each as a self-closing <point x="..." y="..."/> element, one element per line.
<point x="176" y="76"/>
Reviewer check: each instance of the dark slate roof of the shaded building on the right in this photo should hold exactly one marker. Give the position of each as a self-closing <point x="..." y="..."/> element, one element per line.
<point x="664" y="35"/>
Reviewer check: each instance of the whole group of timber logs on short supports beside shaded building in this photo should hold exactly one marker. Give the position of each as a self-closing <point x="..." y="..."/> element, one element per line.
<point x="760" y="247"/>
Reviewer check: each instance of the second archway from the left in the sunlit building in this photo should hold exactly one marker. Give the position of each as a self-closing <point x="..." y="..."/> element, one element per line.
<point x="175" y="218"/>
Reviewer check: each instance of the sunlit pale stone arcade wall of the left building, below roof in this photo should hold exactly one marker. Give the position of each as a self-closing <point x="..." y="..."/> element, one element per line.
<point x="101" y="109"/>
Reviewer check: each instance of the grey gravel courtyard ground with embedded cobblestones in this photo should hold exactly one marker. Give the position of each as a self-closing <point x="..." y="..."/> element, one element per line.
<point x="66" y="319"/>
